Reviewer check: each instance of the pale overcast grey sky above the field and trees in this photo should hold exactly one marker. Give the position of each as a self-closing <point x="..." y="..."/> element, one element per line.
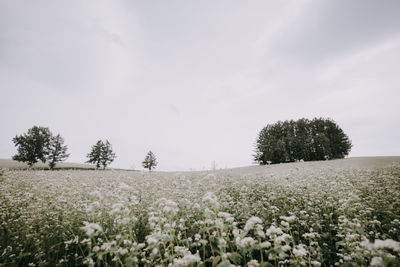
<point x="195" y="81"/>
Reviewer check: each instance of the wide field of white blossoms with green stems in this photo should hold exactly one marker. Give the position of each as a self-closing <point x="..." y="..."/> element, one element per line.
<point x="340" y="212"/>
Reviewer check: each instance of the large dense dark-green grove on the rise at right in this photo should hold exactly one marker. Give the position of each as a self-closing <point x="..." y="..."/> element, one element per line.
<point x="303" y="139"/>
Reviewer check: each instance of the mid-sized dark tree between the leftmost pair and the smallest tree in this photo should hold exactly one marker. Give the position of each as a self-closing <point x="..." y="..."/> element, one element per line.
<point x="101" y="154"/>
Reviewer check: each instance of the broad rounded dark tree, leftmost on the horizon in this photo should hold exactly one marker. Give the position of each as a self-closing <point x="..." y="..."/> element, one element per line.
<point x="32" y="146"/>
